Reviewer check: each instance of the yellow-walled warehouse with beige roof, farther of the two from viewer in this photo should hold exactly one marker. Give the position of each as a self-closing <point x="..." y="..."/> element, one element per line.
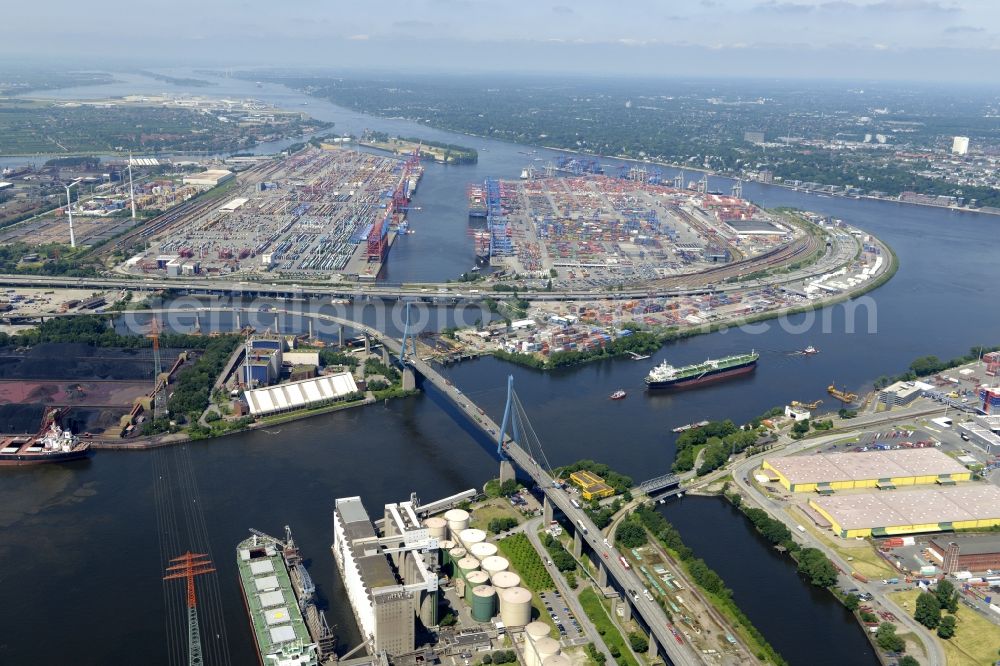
<point x="828" y="472"/>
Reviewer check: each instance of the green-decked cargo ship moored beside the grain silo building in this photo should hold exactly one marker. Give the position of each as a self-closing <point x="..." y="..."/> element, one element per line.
<point x="280" y="598"/>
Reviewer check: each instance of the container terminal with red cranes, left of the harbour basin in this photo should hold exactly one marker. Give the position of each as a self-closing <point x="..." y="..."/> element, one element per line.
<point x="316" y="213"/>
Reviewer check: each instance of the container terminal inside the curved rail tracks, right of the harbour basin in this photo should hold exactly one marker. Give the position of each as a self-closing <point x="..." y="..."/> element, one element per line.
<point x="611" y="230"/>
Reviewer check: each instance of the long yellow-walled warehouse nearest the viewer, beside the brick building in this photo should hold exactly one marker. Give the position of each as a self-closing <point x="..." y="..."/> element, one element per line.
<point x="975" y="506"/>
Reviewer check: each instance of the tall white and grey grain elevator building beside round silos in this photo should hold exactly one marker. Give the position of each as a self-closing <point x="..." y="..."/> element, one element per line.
<point x="392" y="579"/>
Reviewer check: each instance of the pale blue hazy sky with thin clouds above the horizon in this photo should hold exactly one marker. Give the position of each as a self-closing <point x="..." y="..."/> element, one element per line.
<point x="888" y="39"/>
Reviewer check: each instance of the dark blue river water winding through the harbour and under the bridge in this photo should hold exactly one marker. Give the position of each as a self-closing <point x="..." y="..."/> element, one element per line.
<point x="79" y="553"/>
